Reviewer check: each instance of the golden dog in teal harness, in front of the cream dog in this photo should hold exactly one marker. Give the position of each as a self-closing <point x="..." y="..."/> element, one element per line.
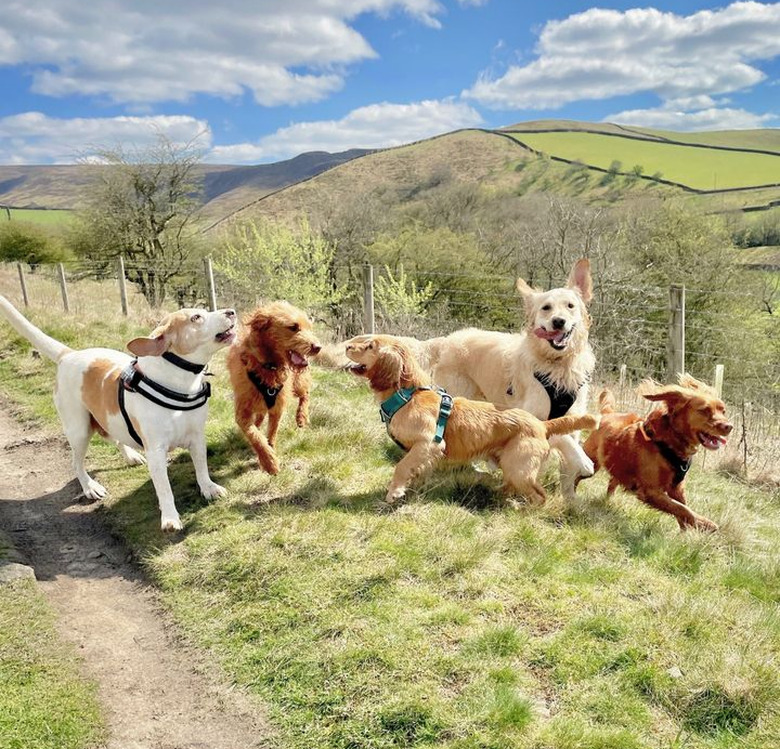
<point x="515" y="439"/>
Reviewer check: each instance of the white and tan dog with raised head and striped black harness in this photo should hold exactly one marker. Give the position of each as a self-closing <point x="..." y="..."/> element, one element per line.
<point x="87" y="391"/>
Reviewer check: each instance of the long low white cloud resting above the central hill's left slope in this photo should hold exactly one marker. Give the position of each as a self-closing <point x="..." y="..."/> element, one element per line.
<point x="373" y="126"/>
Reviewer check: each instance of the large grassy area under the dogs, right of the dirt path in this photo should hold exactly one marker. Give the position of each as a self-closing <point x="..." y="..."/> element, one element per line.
<point x="451" y="621"/>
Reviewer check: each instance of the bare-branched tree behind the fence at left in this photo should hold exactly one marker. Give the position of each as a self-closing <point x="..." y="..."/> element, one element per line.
<point x="144" y="205"/>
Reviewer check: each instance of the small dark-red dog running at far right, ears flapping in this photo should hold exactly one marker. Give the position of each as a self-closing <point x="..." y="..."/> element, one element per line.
<point x="624" y="444"/>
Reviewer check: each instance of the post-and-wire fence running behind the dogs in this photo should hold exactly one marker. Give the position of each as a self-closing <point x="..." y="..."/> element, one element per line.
<point x="632" y="328"/>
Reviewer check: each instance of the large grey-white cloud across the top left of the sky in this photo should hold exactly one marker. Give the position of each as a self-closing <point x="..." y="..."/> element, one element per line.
<point x="150" y="51"/>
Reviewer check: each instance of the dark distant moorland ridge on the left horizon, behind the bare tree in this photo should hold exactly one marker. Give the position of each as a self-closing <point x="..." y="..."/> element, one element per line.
<point x="226" y="187"/>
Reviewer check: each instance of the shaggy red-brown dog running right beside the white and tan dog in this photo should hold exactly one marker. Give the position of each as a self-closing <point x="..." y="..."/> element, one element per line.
<point x="274" y="345"/>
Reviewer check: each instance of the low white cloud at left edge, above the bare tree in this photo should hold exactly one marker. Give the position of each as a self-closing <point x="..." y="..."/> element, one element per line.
<point x="34" y="138"/>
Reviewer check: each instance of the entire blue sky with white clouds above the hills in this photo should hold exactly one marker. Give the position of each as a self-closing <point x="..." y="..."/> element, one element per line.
<point x="262" y="80"/>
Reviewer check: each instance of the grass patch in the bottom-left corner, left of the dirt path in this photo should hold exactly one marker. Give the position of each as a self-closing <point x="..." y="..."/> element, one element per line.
<point x="44" y="703"/>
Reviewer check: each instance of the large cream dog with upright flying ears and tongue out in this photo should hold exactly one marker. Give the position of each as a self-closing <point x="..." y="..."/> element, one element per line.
<point x="543" y="370"/>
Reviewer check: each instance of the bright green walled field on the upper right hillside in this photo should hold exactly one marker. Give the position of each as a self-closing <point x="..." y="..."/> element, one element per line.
<point x="698" y="168"/>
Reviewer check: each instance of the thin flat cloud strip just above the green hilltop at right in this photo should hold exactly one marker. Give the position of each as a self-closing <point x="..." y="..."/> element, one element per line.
<point x="712" y="118"/>
